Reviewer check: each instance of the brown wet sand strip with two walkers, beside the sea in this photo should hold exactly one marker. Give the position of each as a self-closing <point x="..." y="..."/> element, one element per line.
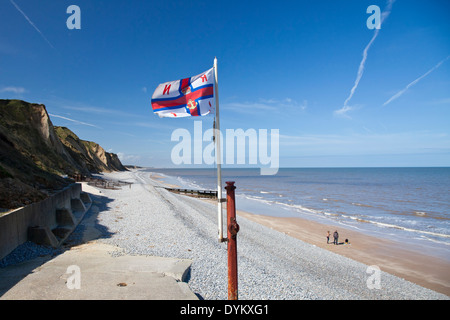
<point x="392" y="257"/>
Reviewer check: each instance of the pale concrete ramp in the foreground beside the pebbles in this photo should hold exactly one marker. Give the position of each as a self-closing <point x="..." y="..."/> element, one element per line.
<point x="90" y="272"/>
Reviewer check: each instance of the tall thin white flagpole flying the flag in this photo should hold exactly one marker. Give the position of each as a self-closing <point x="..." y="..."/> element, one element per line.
<point x="218" y="155"/>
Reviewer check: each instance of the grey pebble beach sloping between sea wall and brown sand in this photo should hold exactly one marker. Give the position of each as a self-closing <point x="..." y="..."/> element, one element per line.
<point x="146" y="219"/>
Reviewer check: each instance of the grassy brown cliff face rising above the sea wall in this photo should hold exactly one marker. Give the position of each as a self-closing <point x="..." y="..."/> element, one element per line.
<point x="34" y="157"/>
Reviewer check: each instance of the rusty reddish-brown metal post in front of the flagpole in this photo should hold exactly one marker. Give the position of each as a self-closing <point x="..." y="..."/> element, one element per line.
<point x="232" y="230"/>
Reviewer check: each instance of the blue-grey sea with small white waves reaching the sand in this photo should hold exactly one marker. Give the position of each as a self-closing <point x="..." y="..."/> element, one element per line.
<point x="408" y="205"/>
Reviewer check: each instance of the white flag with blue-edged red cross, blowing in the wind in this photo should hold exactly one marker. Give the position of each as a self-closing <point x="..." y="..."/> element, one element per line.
<point x="185" y="98"/>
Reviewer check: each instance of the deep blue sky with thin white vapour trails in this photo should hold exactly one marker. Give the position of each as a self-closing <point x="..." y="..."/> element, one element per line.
<point x="287" y="65"/>
